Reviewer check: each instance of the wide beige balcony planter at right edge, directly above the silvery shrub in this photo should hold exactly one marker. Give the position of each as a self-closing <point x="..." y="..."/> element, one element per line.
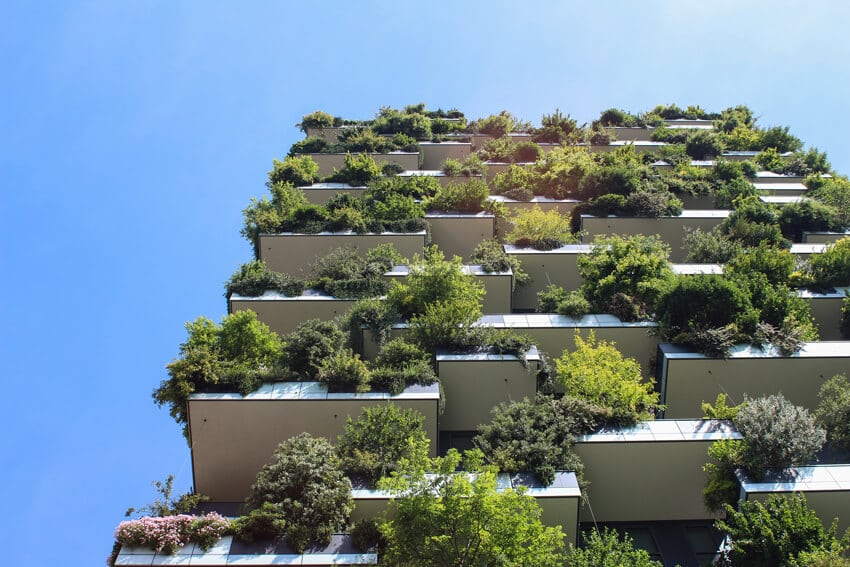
<point x="687" y="378"/>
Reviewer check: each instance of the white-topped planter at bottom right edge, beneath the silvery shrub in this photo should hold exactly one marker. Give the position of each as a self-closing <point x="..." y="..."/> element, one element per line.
<point x="826" y="488"/>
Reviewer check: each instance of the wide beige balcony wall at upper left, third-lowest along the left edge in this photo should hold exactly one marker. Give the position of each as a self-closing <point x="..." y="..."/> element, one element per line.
<point x="295" y="253"/>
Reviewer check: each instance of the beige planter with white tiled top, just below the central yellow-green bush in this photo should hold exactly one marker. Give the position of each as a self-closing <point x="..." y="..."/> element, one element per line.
<point x="649" y="472"/>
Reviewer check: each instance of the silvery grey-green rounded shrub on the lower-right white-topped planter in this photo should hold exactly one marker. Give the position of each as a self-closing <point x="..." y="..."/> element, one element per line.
<point x="778" y="434"/>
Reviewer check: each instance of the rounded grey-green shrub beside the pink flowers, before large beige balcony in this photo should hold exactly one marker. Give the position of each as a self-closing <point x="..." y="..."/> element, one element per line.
<point x="304" y="479"/>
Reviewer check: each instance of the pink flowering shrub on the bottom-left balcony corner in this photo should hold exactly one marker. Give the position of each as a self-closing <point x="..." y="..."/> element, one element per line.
<point x="167" y="534"/>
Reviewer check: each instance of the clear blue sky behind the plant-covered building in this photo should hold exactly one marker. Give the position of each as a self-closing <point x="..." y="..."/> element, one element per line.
<point x="132" y="136"/>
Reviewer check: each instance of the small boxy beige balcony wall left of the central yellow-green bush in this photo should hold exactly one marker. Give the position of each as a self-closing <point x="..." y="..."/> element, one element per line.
<point x="474" y="384"/>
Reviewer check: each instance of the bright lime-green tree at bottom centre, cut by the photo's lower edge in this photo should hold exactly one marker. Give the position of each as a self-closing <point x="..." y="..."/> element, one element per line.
<point x="457" y="519"/>
